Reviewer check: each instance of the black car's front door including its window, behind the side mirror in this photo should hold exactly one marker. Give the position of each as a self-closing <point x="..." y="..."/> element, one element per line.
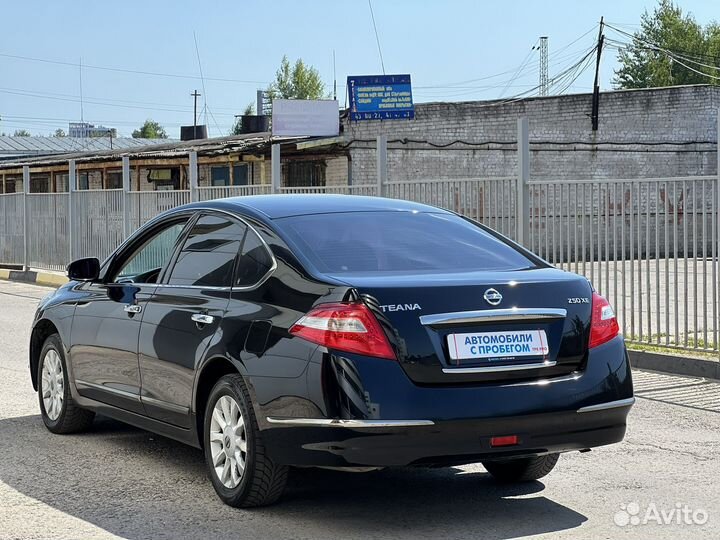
<point x="106" y="326"/>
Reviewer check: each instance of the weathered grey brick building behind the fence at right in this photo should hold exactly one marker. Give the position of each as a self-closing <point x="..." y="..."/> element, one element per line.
<point x="644" y="133"/>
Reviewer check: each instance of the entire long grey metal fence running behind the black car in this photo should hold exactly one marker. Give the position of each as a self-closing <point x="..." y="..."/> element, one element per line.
<point x="650" y="245"/>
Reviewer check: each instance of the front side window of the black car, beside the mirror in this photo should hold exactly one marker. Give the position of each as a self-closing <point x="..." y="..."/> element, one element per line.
<point x="146" y="262"/>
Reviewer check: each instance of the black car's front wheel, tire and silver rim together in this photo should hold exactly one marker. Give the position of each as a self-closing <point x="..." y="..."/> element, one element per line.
<point x="59" y="412"/>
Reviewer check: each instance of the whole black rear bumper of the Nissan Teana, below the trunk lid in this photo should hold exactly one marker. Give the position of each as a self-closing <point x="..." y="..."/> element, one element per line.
<point x="406" y="424"/>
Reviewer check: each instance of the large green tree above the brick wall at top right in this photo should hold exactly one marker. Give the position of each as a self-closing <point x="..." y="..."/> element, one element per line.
<point x="642" y="65"/>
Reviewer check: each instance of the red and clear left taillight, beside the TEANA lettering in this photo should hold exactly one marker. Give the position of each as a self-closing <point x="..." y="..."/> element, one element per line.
<point x="350" y="327"/>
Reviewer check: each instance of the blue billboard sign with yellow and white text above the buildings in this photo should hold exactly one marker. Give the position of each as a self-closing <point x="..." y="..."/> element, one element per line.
<point x="380" y="97"/>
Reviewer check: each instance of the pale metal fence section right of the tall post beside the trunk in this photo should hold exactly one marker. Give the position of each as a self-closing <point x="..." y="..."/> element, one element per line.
<point x="650" y="246"/>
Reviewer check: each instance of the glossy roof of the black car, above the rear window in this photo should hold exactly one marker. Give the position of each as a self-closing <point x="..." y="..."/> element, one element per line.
<point x="287" y="205"/>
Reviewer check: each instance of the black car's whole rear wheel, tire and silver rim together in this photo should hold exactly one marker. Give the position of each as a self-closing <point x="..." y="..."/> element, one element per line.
<point x="261" y="481"/>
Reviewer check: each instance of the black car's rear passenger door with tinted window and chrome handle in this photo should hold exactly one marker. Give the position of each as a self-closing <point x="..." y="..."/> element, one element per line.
<point x="183" y="315"/>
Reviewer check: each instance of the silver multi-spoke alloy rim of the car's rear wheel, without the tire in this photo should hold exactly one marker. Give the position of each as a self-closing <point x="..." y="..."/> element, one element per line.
<point x="228" y="441"/>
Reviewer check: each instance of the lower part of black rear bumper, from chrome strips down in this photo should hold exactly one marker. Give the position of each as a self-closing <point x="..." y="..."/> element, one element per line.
<point x="385" y="443"/>
